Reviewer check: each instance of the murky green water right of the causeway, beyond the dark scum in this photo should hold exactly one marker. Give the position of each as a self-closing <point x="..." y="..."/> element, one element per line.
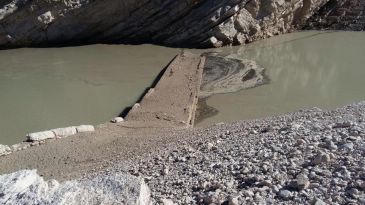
<point x="306" y="69"/>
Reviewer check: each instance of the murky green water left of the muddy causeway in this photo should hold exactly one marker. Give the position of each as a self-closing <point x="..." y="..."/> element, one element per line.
<point x="55" y="87"/>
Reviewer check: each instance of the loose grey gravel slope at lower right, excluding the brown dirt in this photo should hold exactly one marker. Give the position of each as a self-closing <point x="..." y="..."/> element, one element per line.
<point x="307" y="157"/>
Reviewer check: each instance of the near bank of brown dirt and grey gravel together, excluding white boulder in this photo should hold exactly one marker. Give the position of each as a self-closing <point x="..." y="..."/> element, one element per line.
<point x="308" y="157"/>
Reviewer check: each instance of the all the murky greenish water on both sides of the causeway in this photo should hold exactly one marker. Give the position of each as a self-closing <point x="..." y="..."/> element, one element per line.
<point x="44" y="88"/>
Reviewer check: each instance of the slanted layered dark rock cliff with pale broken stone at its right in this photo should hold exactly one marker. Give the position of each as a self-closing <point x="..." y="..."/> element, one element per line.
<point x="182" y="23"/>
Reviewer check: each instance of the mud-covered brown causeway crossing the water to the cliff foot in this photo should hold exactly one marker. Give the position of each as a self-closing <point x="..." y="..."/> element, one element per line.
<point x="173" y="101"/>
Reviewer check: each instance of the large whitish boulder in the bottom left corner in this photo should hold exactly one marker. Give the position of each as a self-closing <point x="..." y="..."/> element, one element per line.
<point x="27" y="187"/>
